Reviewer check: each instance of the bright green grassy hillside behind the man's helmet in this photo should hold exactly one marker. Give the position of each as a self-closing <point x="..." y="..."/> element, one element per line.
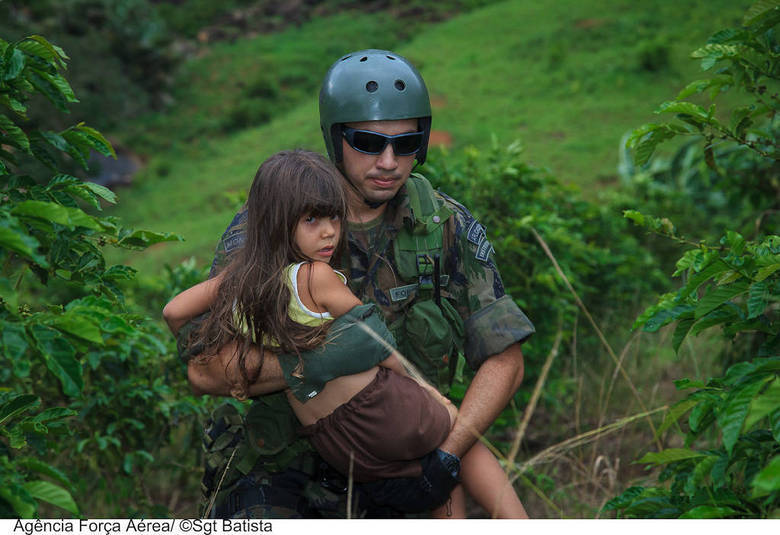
<point x="567" y="78"/>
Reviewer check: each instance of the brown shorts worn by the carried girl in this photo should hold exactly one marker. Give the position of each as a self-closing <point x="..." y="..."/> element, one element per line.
<point x="387" y="427"/>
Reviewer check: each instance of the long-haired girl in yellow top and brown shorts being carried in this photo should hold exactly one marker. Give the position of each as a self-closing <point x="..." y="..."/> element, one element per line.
<point x="359" y="408"/>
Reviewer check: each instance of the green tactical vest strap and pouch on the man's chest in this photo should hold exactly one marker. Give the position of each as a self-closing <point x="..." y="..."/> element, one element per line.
<point x="430" y="331"/>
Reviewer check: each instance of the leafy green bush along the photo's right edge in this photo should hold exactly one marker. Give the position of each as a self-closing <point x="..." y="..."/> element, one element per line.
<point x="732" y="285"/>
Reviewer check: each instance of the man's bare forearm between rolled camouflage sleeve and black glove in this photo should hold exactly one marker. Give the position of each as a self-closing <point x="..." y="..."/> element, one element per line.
<point x="493" y="386"/>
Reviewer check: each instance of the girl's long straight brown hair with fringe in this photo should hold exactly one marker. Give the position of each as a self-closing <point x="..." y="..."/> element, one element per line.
<point x="253" y="298"/>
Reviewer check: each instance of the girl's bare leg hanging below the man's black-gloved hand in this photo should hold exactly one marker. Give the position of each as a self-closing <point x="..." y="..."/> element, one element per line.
<point x="488" y="484"/>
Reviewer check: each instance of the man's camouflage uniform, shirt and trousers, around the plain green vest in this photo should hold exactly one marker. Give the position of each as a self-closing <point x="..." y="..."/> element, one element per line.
<point x="266" y="448"/>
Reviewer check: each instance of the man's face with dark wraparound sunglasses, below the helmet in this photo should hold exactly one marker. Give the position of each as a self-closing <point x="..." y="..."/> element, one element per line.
<point x="379" y="177"/>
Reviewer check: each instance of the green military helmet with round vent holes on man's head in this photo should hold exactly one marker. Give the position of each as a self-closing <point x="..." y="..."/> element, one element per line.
<point x="372" y="85"/>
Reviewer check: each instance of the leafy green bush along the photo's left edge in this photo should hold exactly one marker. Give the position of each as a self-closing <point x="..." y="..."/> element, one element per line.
<point x="89" y="399"/>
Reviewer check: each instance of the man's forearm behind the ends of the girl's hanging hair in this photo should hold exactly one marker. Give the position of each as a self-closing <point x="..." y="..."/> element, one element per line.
<point x="217" y="375"/>
